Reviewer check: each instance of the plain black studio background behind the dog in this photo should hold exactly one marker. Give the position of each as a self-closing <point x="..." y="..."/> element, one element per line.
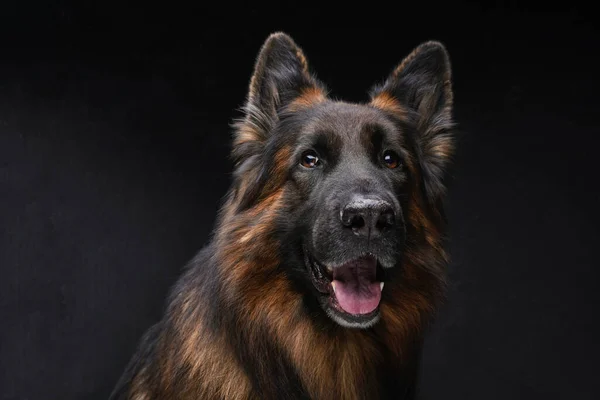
<point x="114" y="137"/>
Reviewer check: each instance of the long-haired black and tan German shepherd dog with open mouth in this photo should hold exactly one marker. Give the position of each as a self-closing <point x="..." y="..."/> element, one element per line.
<point x="327" y="260"/>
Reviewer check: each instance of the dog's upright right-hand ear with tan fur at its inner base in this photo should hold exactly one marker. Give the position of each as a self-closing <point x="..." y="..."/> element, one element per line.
<point x="419" y="90"/>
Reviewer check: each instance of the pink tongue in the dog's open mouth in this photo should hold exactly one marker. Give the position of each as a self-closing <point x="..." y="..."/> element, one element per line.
<point x="357" y="297"/>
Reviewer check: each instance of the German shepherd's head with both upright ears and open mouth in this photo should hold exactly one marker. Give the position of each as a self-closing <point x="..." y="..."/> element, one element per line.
<point x="348" y="174"/>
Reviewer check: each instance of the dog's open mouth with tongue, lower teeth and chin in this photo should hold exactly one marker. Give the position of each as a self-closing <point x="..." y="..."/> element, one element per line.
<point x="352" y="290"/>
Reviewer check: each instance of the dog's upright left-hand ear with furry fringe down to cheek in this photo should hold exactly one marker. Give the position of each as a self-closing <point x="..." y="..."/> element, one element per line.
<point x="281" y="81"/>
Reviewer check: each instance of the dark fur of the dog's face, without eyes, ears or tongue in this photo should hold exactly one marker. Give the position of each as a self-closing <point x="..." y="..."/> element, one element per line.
<point x="348" y="206"/>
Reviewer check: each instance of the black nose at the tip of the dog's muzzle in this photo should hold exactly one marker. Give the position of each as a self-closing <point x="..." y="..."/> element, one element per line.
<point x="368" y="217"/>
